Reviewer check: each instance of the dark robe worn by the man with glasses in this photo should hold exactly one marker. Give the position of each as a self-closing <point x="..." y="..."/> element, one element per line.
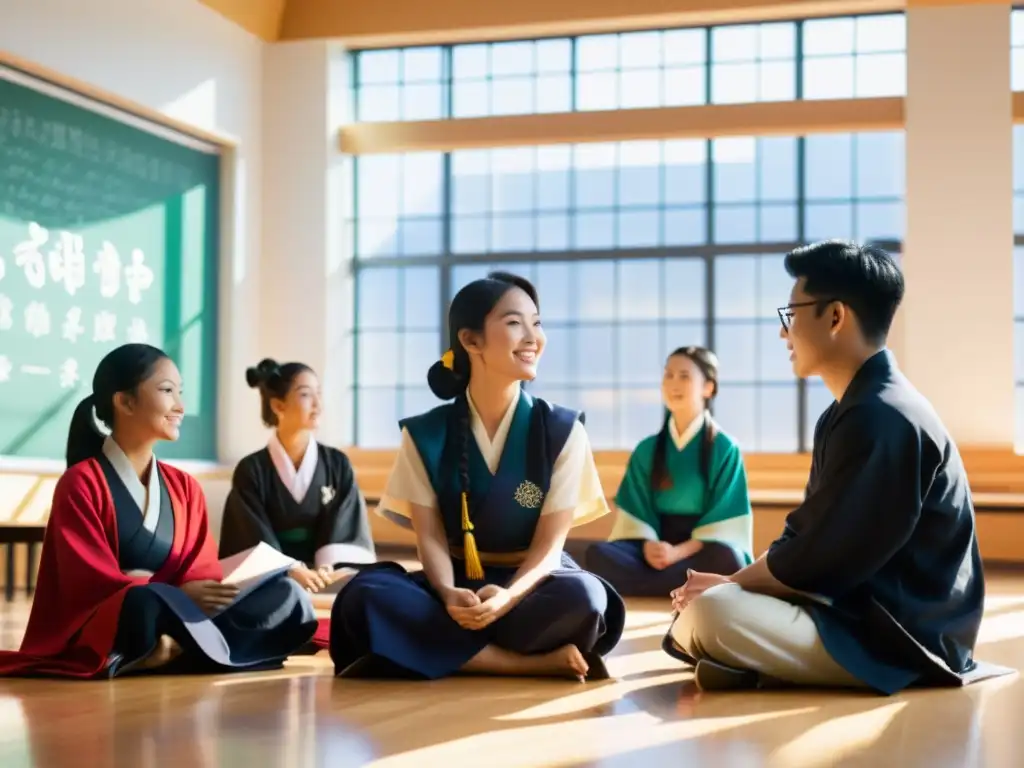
<point x="885" y="539"/>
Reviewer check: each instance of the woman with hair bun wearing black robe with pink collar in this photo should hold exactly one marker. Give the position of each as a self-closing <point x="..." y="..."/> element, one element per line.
<point x="296" y="495"/>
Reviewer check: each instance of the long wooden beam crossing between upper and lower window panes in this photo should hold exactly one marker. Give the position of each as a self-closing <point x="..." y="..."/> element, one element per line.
<point x="766" y="119"/>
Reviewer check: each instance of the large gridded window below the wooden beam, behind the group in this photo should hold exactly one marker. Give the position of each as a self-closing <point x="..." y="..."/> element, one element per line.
<point x="636" y="248"/>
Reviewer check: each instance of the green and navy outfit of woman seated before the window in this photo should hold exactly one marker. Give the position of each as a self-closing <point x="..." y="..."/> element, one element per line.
<point x="706" y="501"/>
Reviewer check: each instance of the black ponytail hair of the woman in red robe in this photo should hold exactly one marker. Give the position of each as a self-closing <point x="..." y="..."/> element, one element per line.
<point x="122" y="370"/>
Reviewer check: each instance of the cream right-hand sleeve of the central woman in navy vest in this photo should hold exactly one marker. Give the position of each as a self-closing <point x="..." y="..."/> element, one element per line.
<point x="575" y="483"/>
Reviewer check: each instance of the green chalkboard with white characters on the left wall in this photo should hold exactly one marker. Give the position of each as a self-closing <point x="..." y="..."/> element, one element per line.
<point x="109" y="234"/>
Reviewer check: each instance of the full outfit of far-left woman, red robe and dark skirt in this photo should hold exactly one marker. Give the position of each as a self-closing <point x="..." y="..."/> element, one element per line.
<point x="115" y="557"/>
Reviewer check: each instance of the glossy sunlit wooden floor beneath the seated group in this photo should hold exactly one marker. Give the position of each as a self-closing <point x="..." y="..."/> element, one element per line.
<point x="650" y="716"/>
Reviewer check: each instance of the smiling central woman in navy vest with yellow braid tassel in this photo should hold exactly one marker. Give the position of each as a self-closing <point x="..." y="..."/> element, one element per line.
<point x="491" y="483"/>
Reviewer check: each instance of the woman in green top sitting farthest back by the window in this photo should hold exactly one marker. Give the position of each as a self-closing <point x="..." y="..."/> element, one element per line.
<point x="684" y="503"/>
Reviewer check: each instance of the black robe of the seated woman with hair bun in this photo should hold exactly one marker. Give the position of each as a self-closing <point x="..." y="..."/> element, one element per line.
<point x="332" y="518"/>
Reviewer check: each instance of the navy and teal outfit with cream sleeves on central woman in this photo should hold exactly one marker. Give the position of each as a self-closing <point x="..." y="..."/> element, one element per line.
<point x="538" y="463"/>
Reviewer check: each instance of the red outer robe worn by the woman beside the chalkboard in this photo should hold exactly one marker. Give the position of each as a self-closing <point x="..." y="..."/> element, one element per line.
<point x="80" y="587"/>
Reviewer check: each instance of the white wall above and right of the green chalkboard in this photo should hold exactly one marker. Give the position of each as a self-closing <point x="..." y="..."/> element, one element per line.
<point x="183" y="60"/>
